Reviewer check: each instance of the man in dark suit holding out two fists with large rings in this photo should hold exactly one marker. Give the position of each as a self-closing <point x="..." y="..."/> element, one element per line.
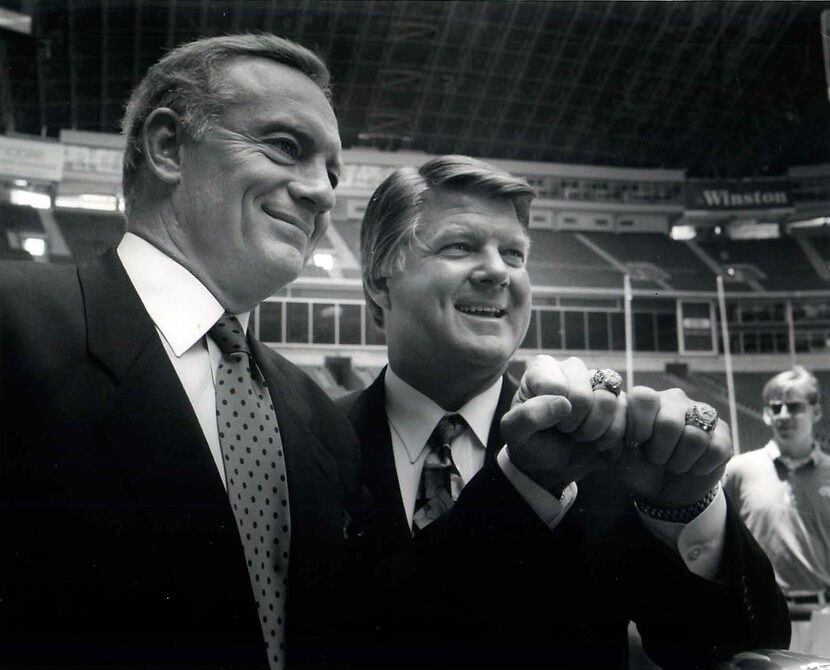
<point x="543" y="557"/>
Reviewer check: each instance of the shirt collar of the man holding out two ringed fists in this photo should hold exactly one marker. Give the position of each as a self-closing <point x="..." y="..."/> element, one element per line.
<point x="414" y="416"/>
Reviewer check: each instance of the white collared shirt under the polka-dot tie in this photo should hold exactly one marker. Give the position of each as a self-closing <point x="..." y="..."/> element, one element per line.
<point x="182" y="310"/>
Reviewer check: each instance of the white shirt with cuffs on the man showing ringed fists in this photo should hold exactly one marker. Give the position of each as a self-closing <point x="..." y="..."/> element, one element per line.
<point x="412" y="418"/>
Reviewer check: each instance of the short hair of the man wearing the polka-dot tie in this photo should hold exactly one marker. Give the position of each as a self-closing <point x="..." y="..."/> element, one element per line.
<point x="186" y="81"/>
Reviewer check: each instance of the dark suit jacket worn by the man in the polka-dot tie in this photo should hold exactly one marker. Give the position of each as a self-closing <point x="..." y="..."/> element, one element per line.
<point x="118" y="542"/>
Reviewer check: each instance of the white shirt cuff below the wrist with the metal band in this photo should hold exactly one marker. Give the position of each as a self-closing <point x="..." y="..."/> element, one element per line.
<point x="699" y="542"/>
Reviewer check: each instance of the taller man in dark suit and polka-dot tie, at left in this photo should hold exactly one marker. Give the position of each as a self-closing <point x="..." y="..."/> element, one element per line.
<point x="120" y="544"/>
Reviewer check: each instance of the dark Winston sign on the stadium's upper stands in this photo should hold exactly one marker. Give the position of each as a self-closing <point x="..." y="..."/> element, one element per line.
<point x="737" y="196"/>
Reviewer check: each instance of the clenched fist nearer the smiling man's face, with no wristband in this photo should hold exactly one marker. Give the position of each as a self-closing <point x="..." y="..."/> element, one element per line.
<point x="559" y="428"/>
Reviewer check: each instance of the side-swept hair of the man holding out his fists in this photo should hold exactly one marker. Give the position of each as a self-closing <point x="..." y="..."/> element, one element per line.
<point x="395" y="210"/>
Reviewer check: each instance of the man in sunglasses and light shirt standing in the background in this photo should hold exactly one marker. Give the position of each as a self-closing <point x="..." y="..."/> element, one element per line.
<point x="782" y="492"/>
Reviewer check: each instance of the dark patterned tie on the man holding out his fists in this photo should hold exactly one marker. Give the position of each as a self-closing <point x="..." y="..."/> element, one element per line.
<point x="441" y="482"/>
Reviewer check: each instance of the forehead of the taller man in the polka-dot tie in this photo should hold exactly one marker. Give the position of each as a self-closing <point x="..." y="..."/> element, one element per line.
<point x="265" y="93"/>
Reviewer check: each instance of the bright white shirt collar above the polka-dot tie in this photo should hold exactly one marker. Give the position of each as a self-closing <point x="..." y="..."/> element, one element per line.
<point x="180" y="306"/>
